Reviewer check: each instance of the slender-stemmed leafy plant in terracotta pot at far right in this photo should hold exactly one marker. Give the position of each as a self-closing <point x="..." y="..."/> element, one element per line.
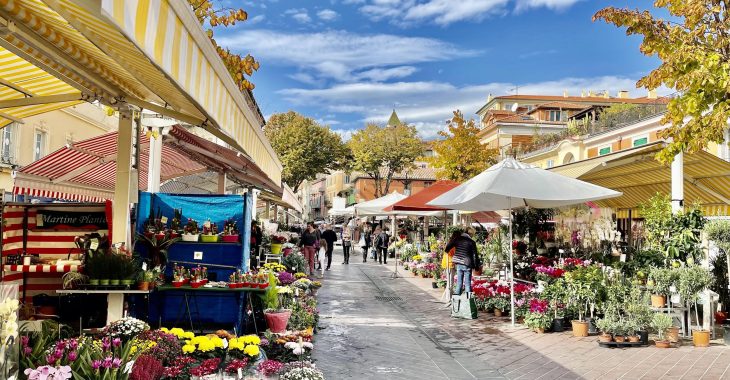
<point x="692" y="281"/>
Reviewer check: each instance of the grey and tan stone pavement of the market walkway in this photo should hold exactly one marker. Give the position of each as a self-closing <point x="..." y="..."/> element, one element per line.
<point x="375" y="327"/>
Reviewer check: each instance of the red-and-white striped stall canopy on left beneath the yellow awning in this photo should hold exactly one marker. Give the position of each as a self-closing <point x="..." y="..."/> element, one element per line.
<point x="86" y="171"/>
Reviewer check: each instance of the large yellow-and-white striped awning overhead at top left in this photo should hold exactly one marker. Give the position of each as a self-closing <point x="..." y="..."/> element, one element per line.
<point x="151" y="54"/>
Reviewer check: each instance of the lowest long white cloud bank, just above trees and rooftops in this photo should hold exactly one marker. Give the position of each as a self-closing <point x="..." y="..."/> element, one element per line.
<point x="428" y="105"/>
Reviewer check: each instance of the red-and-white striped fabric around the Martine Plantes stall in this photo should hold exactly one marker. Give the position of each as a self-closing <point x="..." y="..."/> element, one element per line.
<point x="47" y="244"/>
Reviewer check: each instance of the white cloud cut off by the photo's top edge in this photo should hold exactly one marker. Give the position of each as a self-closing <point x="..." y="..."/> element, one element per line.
<point x="446" y="12"/>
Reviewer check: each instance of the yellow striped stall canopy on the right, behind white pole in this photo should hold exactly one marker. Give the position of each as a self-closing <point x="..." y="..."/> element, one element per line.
<point x="638" y="175"/>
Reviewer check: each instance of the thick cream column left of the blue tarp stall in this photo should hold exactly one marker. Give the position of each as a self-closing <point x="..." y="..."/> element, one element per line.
<point x="123" y="188"/>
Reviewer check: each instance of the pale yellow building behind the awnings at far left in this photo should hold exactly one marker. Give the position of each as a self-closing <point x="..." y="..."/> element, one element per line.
<point x="42" y="134"/>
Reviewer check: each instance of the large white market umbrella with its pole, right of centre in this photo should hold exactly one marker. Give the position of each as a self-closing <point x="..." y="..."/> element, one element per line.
<point x="510" y="184"/>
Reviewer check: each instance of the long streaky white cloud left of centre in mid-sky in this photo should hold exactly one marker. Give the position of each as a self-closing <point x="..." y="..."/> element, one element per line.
<point x="345" y="56"/>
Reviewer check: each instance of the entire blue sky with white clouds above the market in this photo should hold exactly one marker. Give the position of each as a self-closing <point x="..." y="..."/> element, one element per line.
<point x="348" y="62"/>
